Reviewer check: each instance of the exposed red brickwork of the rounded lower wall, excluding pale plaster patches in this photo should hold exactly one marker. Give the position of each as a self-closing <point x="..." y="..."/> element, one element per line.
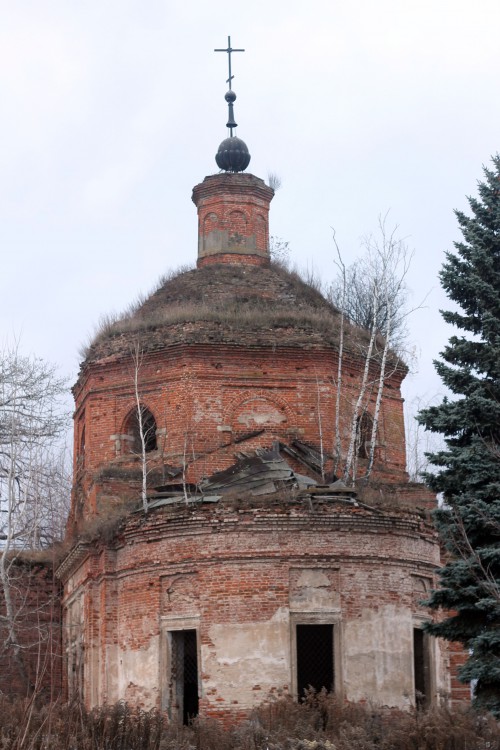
<point x="237" y="565"/>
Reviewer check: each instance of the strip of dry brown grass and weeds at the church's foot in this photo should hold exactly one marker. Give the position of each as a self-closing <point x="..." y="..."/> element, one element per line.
<point x="320" y="723"/>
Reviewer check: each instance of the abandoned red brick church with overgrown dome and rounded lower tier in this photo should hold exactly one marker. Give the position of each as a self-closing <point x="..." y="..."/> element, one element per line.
<point x="247" y="570"/>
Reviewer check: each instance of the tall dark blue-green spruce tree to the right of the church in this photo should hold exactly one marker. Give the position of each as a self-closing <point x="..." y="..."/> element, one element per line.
<point x="468" y="469"/>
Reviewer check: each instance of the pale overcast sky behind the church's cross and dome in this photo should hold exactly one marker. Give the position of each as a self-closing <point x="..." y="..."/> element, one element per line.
<point x="112" y="110"/>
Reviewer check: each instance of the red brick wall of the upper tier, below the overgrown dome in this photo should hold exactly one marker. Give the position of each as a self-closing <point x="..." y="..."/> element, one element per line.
<point x="206" y="399"/>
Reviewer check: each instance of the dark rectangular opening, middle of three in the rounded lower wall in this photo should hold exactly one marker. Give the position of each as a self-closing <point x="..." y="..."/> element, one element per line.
<point x="314" y="658"/>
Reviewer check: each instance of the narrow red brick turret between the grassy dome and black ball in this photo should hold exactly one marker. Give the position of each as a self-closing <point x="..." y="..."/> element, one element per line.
<point x="233" y="219"/>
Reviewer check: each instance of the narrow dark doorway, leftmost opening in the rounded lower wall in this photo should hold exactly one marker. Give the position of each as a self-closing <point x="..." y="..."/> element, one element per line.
<point x="184" y="674"/>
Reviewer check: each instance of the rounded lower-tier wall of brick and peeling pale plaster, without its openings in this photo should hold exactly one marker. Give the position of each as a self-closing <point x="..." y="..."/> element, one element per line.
<point x="243" y="578"/>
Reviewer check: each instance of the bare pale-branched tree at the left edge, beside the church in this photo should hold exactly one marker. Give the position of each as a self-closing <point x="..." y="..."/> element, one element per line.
<point x="32" y="422"/>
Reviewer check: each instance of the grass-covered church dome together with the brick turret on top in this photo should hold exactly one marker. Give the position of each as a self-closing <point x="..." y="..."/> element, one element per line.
<point x="236" y="296"/>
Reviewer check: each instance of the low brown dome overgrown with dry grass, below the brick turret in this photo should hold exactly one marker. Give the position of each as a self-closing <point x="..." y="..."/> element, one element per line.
<point x="221" y="303"/>
